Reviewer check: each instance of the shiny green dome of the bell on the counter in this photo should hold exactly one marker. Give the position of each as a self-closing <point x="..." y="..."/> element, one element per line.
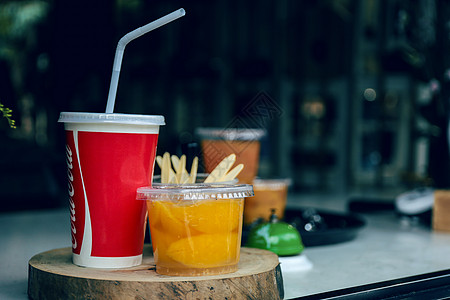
<point x="276" y="236"/>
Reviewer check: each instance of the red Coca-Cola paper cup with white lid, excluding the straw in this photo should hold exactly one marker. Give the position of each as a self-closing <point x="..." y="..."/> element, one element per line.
<point x="108" y="157"/>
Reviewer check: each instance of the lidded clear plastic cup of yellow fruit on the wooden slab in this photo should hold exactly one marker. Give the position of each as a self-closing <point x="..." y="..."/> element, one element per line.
<point x="196" y="229"/>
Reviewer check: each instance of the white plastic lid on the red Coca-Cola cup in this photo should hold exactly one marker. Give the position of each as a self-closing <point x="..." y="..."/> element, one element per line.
<point x="83" y="117"/>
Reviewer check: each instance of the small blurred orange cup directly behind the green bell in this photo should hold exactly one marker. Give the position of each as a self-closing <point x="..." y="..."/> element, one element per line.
<point x="270" y="194"/>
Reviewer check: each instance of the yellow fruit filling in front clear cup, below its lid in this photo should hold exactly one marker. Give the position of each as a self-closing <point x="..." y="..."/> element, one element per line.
<point x="196" y="237"/>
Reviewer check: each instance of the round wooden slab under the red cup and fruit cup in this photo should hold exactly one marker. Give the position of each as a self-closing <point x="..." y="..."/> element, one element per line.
<point x="52" y="275"/>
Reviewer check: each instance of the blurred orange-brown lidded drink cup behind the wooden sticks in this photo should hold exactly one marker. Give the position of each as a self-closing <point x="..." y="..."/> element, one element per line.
<point x="216" y="144"/>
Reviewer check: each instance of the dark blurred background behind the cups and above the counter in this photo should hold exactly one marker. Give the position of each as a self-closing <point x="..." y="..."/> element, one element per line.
<point x="353" y="93"/>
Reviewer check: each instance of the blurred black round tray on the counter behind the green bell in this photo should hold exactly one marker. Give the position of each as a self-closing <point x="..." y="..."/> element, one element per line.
<point x="319" y="227"/>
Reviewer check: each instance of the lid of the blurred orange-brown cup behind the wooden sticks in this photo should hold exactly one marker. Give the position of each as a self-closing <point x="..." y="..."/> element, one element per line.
<point x="231" y="134"/>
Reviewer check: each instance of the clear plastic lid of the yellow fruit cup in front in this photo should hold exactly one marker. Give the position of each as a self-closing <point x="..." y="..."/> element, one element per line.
<point x="195" y="192"/>
